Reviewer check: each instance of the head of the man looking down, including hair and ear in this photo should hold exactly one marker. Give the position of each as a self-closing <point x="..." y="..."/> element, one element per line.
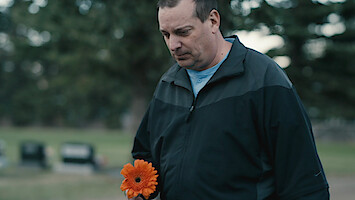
<point x="191" y="31"/>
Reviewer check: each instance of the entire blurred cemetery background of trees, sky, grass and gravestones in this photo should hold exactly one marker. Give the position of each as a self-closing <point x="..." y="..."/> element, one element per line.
<point x="76" y="77"/>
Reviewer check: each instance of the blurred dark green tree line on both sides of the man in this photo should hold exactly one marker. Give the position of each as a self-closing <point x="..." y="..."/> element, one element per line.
<point x="83" y="62"/>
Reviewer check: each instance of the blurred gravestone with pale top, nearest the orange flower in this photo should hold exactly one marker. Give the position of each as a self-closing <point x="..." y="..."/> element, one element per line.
<point x="77" y="158"/>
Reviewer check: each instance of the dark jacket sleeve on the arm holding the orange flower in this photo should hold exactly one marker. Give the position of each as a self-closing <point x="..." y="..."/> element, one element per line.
<point x="141" y="147"/>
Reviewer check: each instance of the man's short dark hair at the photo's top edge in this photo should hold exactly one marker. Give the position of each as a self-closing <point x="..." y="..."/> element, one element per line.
<point x="203" y="7"/>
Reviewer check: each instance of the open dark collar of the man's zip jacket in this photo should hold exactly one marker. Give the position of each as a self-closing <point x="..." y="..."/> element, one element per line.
<point x="232" y="66"/>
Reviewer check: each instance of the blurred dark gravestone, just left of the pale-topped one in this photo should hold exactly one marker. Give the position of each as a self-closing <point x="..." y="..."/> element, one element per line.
<point x="33" y="154"/>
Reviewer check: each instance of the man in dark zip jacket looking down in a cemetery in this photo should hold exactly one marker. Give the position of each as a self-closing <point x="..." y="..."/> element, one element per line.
<point x="225" y="122"/>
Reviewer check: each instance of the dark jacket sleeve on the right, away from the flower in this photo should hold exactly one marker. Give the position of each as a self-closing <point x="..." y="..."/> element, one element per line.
<point x="298" y="171"/>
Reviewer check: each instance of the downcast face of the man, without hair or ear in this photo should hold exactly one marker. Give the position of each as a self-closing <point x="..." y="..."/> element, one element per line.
<point x="190" y="41"/>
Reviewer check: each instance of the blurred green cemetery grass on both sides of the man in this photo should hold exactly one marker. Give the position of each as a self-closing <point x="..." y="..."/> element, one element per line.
<point x="32" y="184"/>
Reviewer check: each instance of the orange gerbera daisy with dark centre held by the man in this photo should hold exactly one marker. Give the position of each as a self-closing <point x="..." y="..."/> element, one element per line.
<point x="139" y="179"/>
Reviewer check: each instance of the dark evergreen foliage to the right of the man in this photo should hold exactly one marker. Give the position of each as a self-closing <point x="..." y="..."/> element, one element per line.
<point x="319" y="40"/>
